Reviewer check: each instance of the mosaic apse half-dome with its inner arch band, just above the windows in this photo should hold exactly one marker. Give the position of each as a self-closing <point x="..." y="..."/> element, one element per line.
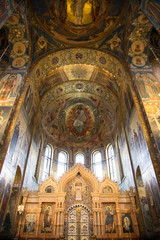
<point x="79" y="113"/>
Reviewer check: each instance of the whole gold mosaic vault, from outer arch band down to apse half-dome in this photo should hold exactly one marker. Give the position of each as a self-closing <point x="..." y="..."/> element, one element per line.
<point x="78" y="95"/>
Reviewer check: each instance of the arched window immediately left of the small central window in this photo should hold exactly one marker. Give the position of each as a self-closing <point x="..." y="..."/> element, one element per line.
<point x="62" y="163"/>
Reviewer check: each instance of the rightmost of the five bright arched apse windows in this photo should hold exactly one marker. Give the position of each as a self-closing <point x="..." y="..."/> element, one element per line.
<point x="111" y="162"/>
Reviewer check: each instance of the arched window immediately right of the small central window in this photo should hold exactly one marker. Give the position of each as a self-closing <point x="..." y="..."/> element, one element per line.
<point x="97" y="164"/>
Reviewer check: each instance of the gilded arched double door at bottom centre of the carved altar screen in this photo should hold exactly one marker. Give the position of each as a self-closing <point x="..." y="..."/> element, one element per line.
<point x="78" y="224"/>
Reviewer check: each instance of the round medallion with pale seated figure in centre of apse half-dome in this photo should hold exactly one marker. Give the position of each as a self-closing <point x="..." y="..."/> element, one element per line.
<point x="79" y="119"/>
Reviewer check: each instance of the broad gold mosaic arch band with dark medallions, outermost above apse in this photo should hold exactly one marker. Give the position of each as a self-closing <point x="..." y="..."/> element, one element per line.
<point x="69" y="57"/>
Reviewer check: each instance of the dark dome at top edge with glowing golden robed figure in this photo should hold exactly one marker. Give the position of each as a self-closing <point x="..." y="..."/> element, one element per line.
<point x="78" y="21"/>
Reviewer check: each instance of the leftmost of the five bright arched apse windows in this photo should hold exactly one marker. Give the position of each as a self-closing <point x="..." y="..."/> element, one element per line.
<point x="47" y="162"/>
